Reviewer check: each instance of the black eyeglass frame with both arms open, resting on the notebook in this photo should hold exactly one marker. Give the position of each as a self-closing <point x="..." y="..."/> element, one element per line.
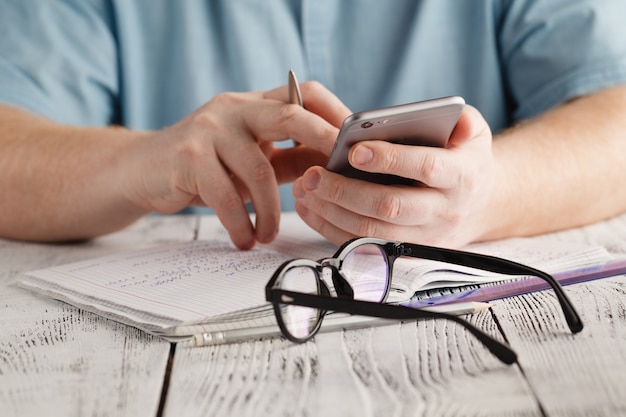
<point x="324" y="302"/>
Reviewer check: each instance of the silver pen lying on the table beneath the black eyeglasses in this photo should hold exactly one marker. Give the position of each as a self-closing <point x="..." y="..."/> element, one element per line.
<point x="335" y="321"/>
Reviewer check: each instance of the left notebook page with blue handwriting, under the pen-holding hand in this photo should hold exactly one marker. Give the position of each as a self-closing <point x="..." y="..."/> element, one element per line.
<point x="186" y="282"/>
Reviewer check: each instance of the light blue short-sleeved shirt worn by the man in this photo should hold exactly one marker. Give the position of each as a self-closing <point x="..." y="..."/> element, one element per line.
<point x="147" y="63"/>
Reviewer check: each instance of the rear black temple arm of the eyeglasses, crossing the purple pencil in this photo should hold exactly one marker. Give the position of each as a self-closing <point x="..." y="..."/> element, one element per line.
<point x="497" y="265"/>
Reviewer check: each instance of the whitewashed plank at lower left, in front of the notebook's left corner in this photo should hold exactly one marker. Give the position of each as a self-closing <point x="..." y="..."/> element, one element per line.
<point x="58" y="360"/>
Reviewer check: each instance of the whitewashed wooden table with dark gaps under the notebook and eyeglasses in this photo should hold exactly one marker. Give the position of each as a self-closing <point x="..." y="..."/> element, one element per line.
<point x="56" y="360"/>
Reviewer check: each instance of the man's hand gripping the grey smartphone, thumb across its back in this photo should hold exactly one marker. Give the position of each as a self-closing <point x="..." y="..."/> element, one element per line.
<point x="454" y="186"/>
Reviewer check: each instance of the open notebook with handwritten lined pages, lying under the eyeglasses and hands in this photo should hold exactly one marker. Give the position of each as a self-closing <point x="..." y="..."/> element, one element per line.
<point x="207" y="285"/>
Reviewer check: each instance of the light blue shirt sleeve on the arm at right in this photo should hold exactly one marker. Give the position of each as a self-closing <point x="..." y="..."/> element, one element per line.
<point x="553" y="51"/>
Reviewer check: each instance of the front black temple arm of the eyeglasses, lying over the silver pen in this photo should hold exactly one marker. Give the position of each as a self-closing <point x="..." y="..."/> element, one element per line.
<point x="391" y="311"/>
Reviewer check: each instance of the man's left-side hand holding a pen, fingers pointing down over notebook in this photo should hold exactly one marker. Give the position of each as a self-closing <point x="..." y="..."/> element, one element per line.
<point x="222" y="155"/>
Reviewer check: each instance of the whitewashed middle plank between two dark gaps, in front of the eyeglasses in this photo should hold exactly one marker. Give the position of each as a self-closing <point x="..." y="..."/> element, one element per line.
<point x="421" y="368"/>
